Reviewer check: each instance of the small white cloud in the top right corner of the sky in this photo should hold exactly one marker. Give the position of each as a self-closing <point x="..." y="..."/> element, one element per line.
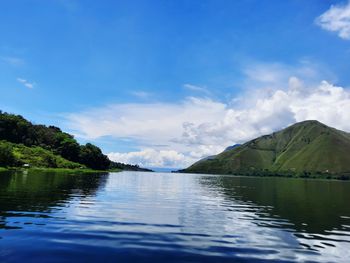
<point x="336" y="19"/>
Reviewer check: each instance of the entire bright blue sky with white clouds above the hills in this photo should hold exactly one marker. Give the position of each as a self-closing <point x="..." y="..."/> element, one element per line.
<point x="88" y="65"/>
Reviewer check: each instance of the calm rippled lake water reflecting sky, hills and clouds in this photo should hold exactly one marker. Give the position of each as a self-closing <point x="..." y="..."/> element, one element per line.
<point x="163" y="217"/>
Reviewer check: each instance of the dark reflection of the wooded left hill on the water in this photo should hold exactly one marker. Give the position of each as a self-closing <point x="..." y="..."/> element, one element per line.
<point x="35" y="195"/>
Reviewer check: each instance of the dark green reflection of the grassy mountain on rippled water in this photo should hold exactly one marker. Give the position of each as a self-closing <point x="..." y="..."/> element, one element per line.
<point x="311" y="205"/>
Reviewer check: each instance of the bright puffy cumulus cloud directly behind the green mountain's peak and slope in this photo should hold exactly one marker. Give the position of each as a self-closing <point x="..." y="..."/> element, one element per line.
<point x="327" y="103"/>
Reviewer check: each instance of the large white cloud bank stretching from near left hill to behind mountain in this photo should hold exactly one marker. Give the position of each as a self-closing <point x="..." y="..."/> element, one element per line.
<point x="177" y="134"/>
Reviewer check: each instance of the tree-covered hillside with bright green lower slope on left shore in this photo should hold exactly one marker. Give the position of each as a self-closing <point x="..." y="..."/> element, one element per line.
<point x="22" y="142"/>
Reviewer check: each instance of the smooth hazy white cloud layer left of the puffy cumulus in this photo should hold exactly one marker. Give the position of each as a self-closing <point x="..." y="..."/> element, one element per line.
<point x="152" y="123"/>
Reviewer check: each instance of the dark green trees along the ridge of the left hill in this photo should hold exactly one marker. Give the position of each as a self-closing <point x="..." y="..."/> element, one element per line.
<point x="18" y="130"/>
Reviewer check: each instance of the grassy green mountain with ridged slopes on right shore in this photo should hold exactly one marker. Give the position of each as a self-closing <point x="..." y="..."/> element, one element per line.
<point x="307" y="149"/>
